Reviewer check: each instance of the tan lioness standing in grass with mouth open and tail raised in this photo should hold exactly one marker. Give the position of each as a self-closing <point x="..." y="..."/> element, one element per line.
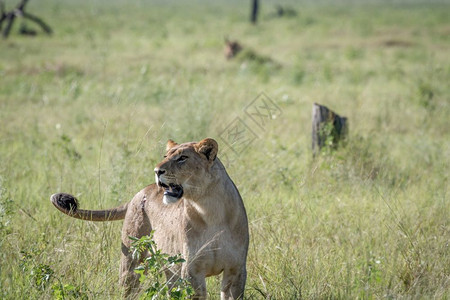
<point x="194" y="208"/>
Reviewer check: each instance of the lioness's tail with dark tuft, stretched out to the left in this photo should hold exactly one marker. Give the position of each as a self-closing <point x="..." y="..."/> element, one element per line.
<point x="68" y="204"/>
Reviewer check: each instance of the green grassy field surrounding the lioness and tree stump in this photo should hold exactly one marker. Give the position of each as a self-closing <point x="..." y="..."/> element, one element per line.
<point x="88" y="111"/>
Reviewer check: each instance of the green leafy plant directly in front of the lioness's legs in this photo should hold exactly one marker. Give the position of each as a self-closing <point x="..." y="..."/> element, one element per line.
<point x="153" y="268"/>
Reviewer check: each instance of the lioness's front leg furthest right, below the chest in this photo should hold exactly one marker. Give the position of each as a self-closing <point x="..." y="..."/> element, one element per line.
<point x="233" y="284"/>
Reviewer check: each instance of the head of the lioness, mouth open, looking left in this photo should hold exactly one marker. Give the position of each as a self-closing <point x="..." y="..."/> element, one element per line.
<point x="186" y="169"/>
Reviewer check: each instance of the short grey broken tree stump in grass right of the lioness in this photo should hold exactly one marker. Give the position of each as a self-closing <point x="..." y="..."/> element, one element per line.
<point x="328" y="128"/>
